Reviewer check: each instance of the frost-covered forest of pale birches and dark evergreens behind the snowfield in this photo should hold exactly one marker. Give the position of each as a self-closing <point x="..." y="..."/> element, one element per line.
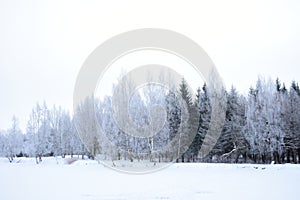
<point x="261" y="127"/>
